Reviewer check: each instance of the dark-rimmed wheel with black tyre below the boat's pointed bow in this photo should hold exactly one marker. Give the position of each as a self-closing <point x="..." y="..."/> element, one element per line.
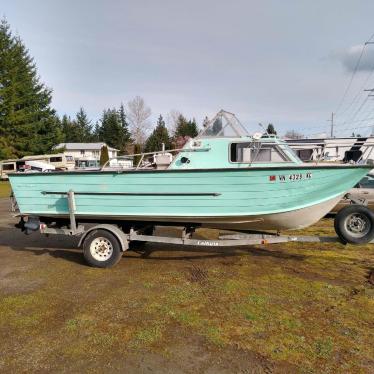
<point x="355" y="224"/>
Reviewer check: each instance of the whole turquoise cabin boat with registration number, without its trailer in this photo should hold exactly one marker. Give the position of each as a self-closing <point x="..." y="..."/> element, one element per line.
<point x="224" y="178"/>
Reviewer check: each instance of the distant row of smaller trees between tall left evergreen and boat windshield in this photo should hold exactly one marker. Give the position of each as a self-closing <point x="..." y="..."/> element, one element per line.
<point x="121" y="128"/>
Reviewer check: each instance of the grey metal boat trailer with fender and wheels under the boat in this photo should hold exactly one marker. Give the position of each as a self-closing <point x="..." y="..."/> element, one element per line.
<point x="104" y="244"/>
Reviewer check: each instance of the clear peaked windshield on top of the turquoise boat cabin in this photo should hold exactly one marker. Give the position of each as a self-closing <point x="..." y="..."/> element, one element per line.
<point x="223" y="124"/>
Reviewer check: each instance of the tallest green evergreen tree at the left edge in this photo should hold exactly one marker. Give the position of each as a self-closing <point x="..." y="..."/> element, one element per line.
<point x="27" y="122"/>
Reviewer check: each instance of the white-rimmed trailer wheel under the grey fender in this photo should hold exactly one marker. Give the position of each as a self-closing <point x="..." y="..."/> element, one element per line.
<point x="101" y="249"/>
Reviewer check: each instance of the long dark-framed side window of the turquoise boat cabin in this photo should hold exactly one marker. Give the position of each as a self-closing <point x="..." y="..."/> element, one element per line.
<point x="247" y="152"/>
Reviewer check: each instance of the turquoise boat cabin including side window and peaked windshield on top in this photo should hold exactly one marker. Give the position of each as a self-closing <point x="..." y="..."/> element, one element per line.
<point x="225" y="143"/>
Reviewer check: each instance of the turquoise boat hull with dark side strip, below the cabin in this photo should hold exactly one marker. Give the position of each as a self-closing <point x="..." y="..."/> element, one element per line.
<point x="249" y="199"/>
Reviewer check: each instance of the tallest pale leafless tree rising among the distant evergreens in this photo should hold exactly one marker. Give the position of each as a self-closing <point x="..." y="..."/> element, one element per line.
<point x="138" y="114"/>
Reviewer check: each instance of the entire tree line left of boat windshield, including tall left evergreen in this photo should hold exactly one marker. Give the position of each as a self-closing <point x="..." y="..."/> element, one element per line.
<point x="30" y="125"/>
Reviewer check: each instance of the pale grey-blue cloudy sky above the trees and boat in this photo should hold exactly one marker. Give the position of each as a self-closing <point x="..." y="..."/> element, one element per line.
<point x="287" y="62"/>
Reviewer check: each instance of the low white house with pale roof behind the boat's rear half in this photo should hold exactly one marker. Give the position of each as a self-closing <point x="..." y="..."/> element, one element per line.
<point x="86" y="151"/>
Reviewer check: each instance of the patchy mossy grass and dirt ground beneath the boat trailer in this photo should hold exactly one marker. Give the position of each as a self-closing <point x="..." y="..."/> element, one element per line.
<point x="286" y="308"/>
